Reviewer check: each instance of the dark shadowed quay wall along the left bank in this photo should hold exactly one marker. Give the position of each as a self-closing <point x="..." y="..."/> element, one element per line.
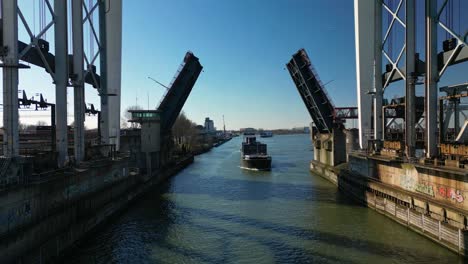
<point x="52" y="216"/>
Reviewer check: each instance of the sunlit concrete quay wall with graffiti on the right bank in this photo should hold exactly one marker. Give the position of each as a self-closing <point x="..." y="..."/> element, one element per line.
<point x="427" y="200"/>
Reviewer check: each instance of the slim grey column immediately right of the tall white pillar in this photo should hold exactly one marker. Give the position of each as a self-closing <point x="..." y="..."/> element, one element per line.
<point x="378" y="97"/>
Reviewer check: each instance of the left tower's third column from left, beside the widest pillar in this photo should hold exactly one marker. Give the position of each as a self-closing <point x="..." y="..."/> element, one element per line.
<point x="78" y="80"/>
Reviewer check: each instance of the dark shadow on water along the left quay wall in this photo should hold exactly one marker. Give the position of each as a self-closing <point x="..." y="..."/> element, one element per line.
<point x="123" y="239"/>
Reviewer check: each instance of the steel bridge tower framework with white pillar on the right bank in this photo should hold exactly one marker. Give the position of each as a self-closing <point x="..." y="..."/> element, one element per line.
<point x="372" y="49"/>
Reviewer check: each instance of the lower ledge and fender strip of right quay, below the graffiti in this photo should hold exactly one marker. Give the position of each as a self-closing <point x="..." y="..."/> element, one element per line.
<point x="396" y="204"/>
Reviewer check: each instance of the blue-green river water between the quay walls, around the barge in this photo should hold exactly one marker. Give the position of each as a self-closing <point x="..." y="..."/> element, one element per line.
<point x="215" y="212"/>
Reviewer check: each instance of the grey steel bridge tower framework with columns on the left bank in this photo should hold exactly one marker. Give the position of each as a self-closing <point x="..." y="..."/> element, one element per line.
<point x="67" y="68"/>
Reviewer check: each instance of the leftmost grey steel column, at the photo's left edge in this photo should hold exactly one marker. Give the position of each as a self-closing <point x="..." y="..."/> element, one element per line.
<point x="10" y="78"/>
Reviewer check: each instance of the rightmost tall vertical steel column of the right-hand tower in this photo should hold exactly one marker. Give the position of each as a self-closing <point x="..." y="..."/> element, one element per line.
<point x="432" y="76"/>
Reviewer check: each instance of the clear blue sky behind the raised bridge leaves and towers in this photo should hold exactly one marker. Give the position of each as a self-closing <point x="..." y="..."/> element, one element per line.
<point x="243" y="46"/>
